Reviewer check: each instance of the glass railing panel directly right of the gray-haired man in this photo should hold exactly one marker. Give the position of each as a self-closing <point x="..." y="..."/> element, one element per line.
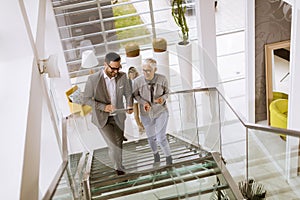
<point x="195" y="117"/>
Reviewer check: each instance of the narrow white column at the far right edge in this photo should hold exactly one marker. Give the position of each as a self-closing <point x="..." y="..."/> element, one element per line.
<point x="292" y="150"/>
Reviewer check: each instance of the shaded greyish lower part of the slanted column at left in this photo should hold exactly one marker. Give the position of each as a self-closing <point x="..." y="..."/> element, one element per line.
<point x="31" y="164"/>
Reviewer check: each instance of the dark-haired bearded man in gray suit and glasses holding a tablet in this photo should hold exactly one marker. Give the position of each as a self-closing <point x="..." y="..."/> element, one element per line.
<point x="104" y="91"/>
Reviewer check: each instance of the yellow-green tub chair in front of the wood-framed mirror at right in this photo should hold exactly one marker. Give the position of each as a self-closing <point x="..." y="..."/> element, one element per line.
<point x="278" y="114"/>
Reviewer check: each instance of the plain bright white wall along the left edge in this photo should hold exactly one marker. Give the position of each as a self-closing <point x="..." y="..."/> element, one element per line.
<point x="15" y="74"/>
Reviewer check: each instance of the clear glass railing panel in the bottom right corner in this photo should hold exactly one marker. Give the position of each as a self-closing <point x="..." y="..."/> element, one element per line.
<point x="273" y="164"/>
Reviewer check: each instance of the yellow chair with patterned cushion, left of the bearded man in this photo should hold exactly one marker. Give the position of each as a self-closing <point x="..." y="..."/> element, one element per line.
<point x="83" y="110"/>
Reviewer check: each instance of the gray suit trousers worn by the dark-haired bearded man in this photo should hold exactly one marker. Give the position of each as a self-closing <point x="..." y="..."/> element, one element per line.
<point x="113" y="137"/>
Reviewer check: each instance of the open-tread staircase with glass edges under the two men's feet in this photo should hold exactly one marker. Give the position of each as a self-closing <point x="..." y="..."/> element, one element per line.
<point x="194" y="173"/>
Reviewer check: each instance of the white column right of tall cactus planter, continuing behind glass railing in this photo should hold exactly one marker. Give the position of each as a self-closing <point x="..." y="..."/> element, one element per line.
<point x="206" y="29"/>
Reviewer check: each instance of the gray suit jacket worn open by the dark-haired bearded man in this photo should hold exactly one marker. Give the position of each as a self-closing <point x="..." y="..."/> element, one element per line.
<point x="97" y="96"/>
